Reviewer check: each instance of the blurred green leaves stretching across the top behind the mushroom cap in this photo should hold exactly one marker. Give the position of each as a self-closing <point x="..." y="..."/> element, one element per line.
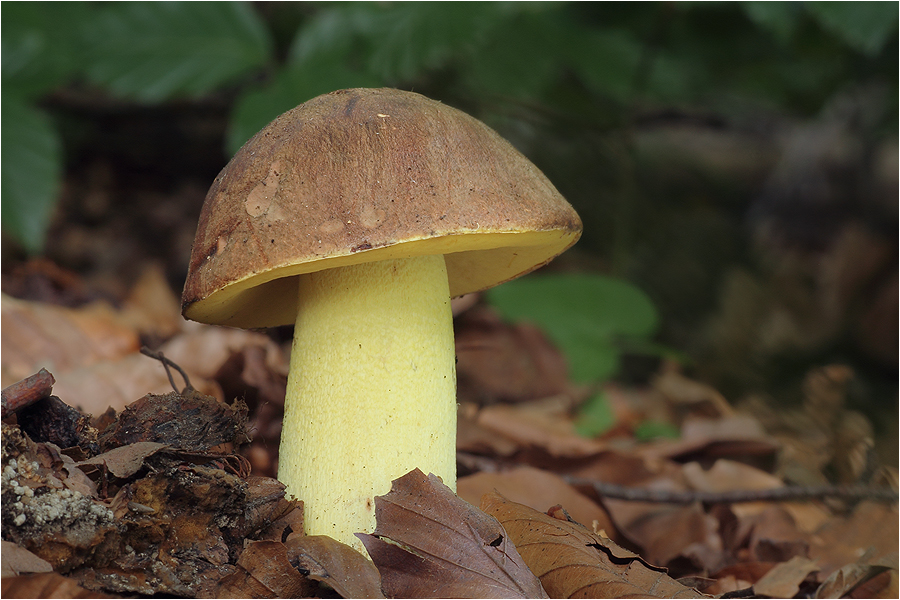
<point x="590" y="60"/>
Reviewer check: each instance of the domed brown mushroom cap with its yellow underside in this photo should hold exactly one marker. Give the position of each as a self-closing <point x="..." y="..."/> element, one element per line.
<point x="364" y="175"/>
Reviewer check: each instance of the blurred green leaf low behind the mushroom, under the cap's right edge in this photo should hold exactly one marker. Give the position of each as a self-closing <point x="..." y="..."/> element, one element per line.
<point x="586" y="315"/>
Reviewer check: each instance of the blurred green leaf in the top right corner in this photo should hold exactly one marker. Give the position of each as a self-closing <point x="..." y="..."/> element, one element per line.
<point x="864" y="26"/>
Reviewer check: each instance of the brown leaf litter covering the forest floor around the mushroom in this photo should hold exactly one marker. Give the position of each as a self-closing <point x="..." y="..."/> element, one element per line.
<point x="173" y="493"/>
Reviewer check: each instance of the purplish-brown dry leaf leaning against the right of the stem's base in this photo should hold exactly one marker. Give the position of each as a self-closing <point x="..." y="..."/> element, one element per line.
<point x="429" y="543"/>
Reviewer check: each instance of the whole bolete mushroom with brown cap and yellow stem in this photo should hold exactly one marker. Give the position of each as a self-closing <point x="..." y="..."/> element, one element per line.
<point x="357" y="216"/>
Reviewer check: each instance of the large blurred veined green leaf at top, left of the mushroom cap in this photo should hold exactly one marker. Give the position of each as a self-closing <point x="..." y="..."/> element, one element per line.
<point x="153" y="51"/>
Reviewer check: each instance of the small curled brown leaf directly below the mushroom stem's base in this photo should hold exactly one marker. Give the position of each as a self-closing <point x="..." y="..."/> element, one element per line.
<point x="345" y="570"/>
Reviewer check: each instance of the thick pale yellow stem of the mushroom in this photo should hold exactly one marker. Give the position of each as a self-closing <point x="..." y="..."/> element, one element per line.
<point x="371" y="392"/>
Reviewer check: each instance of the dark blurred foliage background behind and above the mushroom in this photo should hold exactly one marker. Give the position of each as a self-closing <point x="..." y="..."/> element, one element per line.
<point x="737" y="162"/>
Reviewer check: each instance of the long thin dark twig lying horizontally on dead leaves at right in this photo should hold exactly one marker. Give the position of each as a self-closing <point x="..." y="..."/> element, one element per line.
<point x="791" y="492"/>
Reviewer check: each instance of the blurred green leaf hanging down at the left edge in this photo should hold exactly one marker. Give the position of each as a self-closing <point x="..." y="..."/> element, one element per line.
<point x="31" y="172"/>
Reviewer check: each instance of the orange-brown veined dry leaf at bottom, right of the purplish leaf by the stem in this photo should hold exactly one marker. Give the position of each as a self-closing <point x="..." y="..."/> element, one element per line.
<point x="572" y="562"/>
